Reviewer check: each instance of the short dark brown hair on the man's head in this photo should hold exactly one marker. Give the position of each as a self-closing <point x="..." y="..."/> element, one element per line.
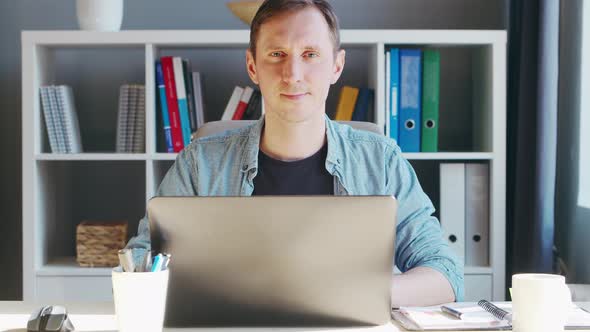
<point x="271" y="8"/>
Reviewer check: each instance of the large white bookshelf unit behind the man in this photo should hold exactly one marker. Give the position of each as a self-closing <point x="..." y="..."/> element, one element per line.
<point x="59" y="190"/>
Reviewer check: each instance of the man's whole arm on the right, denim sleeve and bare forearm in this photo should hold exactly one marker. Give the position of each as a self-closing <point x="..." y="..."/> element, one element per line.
<point x="432" y="273"/>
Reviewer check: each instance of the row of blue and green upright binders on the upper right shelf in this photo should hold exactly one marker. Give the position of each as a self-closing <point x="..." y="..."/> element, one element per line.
<point x="412" y="98"/>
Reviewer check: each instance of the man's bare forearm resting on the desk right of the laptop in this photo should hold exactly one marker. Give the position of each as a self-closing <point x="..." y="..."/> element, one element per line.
<point x="420" y="286"/>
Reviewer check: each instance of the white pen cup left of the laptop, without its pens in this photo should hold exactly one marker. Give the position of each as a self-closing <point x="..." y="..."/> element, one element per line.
<point x="140" y="300"/>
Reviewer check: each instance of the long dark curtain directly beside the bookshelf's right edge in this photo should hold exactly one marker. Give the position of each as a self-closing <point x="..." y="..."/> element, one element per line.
<point x="533" y="62"/>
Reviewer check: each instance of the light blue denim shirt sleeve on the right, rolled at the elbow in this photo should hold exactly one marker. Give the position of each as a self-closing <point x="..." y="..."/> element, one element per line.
<point x="419" y="238"/>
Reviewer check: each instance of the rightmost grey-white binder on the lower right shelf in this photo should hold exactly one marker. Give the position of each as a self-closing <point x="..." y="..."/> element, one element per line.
<point x="476" y="215"/>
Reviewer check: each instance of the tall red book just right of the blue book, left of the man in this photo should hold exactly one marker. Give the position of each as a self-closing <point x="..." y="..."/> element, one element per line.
<point x="171" y="101"/>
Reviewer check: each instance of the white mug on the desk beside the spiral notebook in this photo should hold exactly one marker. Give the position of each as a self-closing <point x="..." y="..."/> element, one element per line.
<point x="540" y="302"/>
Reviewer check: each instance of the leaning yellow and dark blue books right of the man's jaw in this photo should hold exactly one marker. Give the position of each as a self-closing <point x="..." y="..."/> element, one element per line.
<point x="354" y="104"/>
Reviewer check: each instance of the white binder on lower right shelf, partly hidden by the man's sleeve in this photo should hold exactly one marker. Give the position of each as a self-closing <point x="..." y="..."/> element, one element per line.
<point x="452" y="206"/>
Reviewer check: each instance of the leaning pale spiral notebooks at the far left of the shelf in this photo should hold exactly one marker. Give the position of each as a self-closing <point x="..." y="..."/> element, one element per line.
<point x="61" y="119"/>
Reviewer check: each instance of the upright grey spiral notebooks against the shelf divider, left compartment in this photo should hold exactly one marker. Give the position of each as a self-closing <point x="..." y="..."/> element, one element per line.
<point x="131" y="119"/>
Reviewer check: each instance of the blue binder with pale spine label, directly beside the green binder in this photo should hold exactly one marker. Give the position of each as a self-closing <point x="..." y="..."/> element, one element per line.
<point x="410" y="99"/>
